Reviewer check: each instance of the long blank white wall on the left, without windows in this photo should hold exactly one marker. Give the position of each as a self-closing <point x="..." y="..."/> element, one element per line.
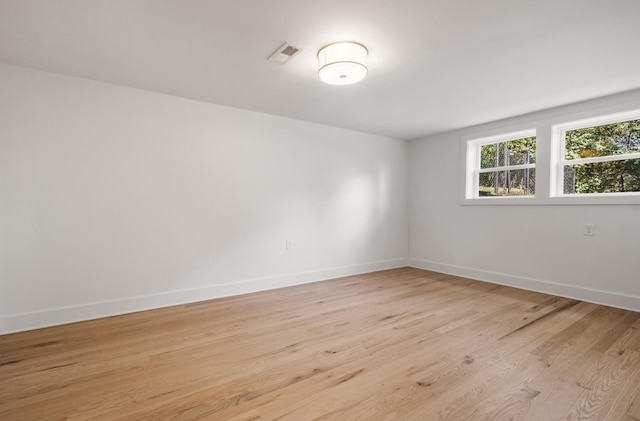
<point x="116" y="199"/>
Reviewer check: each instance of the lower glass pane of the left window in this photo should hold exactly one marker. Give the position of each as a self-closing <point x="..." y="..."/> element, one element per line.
<point x="507" y="183"/>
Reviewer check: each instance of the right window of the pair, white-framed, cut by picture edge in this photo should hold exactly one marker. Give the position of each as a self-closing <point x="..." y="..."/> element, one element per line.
<point x="599" y="156"/>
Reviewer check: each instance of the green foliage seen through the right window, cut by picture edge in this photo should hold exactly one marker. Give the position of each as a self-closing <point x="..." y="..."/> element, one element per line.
<point x="603" y="177"/>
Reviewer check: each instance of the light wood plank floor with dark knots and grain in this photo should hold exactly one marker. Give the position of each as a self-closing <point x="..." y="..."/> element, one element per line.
<point x="403" y="344"/>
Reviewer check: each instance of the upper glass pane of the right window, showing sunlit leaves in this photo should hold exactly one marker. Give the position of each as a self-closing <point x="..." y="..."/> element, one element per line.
<point x="610" y="139"/>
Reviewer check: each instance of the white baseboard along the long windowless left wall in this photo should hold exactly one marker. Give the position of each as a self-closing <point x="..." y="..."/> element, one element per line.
<point x="58" y="316"/>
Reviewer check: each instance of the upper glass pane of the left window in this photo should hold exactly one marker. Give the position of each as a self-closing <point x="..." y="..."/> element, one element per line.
<point x="513" y="152"/>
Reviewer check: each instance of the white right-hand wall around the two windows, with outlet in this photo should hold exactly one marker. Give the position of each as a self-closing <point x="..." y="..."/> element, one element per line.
<point x="533" y="247"/>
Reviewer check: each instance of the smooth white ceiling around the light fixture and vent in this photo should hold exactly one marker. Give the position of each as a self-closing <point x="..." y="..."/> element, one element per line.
<point x="434" y="65"/>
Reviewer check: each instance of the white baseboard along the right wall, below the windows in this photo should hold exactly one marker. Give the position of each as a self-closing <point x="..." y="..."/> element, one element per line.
<point x="612" y="299"/>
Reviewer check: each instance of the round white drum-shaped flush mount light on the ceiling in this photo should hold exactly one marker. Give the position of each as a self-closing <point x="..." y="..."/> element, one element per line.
<point x="342" y="63"/>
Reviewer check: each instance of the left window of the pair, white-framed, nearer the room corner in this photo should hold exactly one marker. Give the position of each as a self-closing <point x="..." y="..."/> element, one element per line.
<point x="503" y="165"/>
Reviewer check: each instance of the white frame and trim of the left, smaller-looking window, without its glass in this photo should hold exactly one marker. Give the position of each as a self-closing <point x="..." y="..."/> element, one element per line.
<point x="472" y="168"/>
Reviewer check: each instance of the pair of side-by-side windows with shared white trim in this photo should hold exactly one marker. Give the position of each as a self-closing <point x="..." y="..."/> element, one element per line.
<point x="590" y="160"/>
